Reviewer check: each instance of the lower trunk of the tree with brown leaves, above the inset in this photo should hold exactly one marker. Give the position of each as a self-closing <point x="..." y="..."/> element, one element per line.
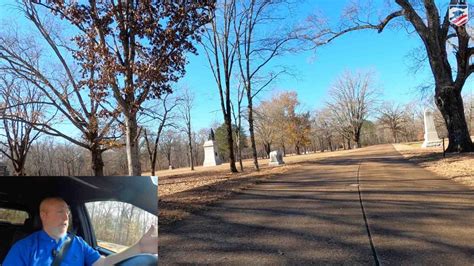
<point x="133" y="155"/>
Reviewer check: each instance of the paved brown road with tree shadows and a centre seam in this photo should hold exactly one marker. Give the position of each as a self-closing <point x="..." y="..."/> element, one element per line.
<point x="366" y="208"/>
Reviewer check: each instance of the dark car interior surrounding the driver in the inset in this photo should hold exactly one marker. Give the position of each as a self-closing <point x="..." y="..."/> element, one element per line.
<point x="25" y="194"/>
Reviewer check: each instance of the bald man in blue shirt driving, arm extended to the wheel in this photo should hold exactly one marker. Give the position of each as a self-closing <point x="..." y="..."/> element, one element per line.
<point x="41" y="247"/>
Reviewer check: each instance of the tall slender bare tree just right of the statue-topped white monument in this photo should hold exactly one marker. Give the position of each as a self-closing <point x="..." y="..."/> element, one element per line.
<point x="220" y="45"/>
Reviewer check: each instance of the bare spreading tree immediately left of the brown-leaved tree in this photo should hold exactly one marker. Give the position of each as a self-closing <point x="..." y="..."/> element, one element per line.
<point x="25" y="59"/>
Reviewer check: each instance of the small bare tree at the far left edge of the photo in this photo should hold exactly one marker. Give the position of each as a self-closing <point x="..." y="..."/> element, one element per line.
<point x="18" y="118"/>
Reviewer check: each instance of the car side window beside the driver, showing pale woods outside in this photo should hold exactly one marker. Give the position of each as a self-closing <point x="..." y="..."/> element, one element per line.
<point x="118" y="225"/>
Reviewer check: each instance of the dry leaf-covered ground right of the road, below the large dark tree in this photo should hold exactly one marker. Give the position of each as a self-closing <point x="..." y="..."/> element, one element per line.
<point x="458" y="167"/>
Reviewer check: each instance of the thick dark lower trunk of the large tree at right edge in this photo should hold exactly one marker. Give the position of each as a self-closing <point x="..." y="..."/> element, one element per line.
<point x="450" y="103"/>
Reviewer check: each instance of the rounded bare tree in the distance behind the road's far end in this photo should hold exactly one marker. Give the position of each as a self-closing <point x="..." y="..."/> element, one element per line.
<point x="351" y="98"/>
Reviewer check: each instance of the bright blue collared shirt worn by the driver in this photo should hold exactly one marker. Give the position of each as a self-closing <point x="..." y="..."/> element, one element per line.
<point x="37" y="250"/>
